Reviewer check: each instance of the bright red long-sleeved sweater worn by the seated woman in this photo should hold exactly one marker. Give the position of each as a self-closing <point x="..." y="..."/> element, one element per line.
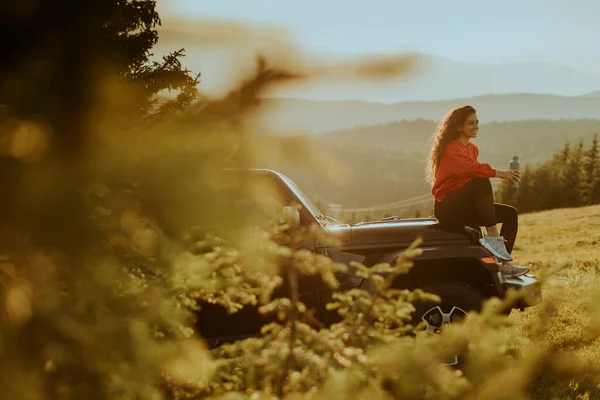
<point x="458" y="166"/>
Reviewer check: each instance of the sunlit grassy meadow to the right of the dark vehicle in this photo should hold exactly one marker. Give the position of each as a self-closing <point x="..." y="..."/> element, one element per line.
<point x="563" y="247"/>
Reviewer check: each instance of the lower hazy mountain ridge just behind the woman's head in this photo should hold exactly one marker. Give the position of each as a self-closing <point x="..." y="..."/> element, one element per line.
<point x="294" y="115"/>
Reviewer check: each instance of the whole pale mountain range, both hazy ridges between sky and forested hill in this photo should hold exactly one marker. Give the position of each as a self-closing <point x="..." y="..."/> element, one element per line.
<point x="501" y="92"/>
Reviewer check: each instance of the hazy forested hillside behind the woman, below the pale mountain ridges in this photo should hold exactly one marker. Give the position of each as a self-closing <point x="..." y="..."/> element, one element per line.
<point x="385" y="163"/>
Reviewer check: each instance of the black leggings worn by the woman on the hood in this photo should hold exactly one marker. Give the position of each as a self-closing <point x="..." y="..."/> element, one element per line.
<point x="473" y="205"/>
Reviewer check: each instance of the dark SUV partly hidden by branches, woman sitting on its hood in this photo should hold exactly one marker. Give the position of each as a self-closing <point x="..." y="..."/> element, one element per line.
<point x="454" y="266"/>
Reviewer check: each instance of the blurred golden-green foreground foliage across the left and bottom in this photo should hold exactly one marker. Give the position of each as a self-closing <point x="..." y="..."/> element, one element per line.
<point x="116" y="226"/>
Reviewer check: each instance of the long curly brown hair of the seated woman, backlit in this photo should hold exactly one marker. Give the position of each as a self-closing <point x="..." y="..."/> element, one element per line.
<point x="447" y="130"/>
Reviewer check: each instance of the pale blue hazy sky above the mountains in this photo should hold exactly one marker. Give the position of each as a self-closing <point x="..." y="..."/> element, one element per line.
<point x="560" y="32"/>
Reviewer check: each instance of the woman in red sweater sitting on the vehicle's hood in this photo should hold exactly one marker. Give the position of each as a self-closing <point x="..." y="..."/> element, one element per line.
<point x="462" y="189"/>
